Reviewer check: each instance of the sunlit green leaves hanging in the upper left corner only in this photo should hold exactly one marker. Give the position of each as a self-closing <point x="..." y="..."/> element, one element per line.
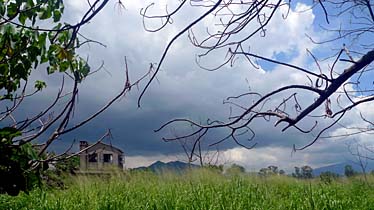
<point x="24" y="45"/>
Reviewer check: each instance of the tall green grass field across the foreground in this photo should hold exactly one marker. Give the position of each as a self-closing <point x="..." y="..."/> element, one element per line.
<point x="199" y="189"/>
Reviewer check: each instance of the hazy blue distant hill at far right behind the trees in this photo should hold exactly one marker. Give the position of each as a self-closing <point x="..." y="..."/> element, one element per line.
<point x="339" y="168"/>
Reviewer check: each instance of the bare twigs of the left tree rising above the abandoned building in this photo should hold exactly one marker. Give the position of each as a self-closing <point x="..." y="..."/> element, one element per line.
<point x="62" y="119"/>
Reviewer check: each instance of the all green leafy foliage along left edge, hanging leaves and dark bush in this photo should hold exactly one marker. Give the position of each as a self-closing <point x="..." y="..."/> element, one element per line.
<point x="24" y="46"/>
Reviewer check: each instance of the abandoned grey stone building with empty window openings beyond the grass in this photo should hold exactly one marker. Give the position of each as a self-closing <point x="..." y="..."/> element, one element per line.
<point x="99" y="156"/>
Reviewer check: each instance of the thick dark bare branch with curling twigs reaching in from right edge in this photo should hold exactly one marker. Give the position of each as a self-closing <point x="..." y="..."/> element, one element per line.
<point x="241" y="121"/>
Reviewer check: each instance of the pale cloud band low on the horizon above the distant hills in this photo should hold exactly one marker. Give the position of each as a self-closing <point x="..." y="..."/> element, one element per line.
<point x="255" y="159"/>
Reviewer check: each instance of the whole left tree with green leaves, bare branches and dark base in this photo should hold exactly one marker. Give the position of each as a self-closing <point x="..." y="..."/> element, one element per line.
<point x="34" y="36"/>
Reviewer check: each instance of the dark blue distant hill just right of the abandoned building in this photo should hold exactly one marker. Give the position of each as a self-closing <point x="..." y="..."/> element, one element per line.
<point x="160" y="166"/>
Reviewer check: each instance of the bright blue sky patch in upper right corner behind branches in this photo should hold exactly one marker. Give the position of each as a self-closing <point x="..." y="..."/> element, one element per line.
<point x="356" y="45"/>
